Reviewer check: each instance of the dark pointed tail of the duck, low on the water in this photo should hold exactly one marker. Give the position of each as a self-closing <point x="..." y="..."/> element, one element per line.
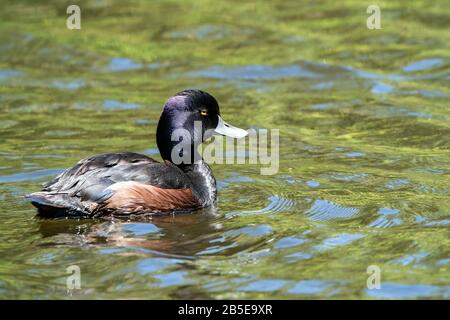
<point x="54" y="205"/>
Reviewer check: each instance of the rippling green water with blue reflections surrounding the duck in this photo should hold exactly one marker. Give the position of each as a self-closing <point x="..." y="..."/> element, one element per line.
<point x="364" y="147"/>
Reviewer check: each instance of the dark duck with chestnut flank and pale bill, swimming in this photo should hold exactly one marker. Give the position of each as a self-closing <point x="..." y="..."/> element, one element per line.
<point x="128" y="183"/>
